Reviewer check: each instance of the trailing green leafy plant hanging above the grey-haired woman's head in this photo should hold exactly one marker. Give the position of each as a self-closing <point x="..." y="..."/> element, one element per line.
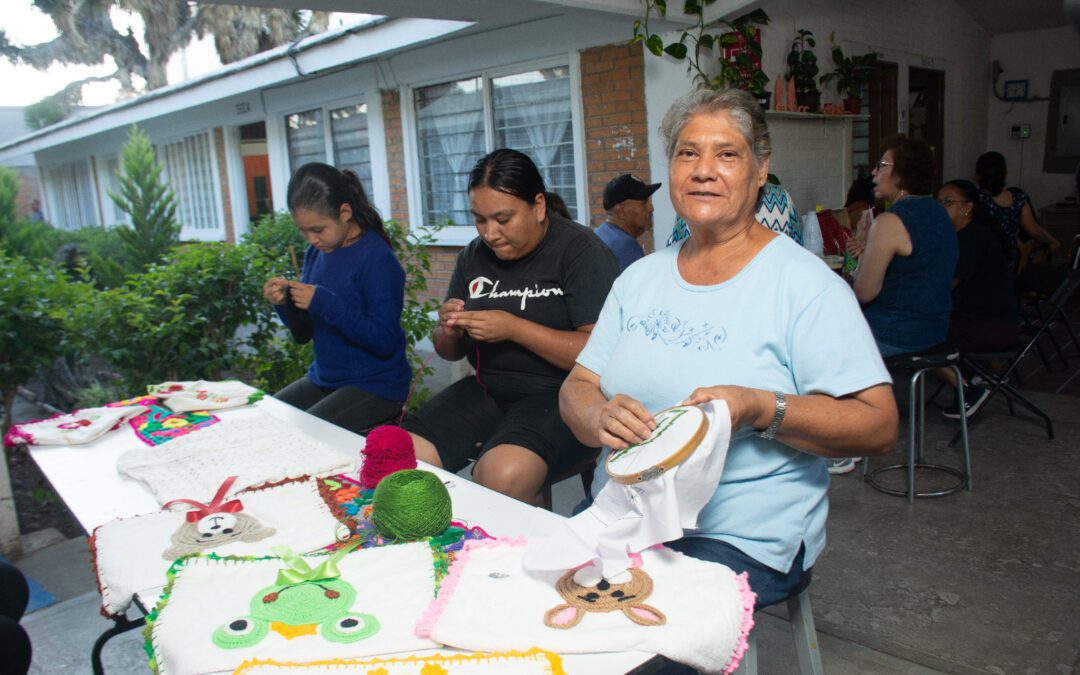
<point x="742" y="73"/>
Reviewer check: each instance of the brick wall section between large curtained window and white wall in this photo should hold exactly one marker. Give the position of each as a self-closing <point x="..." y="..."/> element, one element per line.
<point x="613" y="97"/>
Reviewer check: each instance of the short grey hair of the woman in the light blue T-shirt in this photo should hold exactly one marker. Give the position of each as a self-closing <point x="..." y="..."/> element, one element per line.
<point x="745" y="111"/>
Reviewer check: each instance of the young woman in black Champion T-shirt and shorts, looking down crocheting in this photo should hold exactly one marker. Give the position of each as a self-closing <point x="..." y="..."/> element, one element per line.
<point x="522" y="301"/>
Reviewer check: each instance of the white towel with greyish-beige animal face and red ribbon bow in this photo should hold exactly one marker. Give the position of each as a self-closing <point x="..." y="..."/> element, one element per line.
<point x="133" y="555"/>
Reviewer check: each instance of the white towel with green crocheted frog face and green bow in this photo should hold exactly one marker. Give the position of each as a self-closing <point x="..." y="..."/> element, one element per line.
<point x="221" y="613"/>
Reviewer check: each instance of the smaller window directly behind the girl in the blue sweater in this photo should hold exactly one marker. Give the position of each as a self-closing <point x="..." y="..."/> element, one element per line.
<point x="348" y="146"/>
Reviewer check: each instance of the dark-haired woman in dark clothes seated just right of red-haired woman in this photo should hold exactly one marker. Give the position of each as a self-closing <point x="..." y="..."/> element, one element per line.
<point x="985" y="308"/>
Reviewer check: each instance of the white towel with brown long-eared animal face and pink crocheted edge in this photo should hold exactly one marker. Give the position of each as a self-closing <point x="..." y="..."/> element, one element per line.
<point x="690" y="611"/>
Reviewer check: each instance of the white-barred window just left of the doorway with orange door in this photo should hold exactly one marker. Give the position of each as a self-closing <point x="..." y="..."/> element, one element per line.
<point x="190" y="167"/>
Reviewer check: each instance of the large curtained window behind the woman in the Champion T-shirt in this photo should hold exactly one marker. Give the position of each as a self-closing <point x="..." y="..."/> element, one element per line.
<point x="460" y="123"/>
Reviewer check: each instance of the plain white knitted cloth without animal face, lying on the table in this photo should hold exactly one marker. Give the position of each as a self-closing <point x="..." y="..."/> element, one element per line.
<point x="258" y="449"/>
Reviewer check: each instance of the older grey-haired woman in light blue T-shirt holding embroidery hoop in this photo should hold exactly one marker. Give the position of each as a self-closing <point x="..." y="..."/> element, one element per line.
<point x="752" y="319"/>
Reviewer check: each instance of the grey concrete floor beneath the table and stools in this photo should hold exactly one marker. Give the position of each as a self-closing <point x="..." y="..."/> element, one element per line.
<point x="976" y="583"/>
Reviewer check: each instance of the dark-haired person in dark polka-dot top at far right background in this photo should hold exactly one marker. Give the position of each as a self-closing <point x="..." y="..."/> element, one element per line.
<point x="1009" y="210"/>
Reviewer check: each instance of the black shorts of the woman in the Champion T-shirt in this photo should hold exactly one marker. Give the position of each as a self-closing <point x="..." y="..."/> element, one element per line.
<point x="464" y="422"/>
